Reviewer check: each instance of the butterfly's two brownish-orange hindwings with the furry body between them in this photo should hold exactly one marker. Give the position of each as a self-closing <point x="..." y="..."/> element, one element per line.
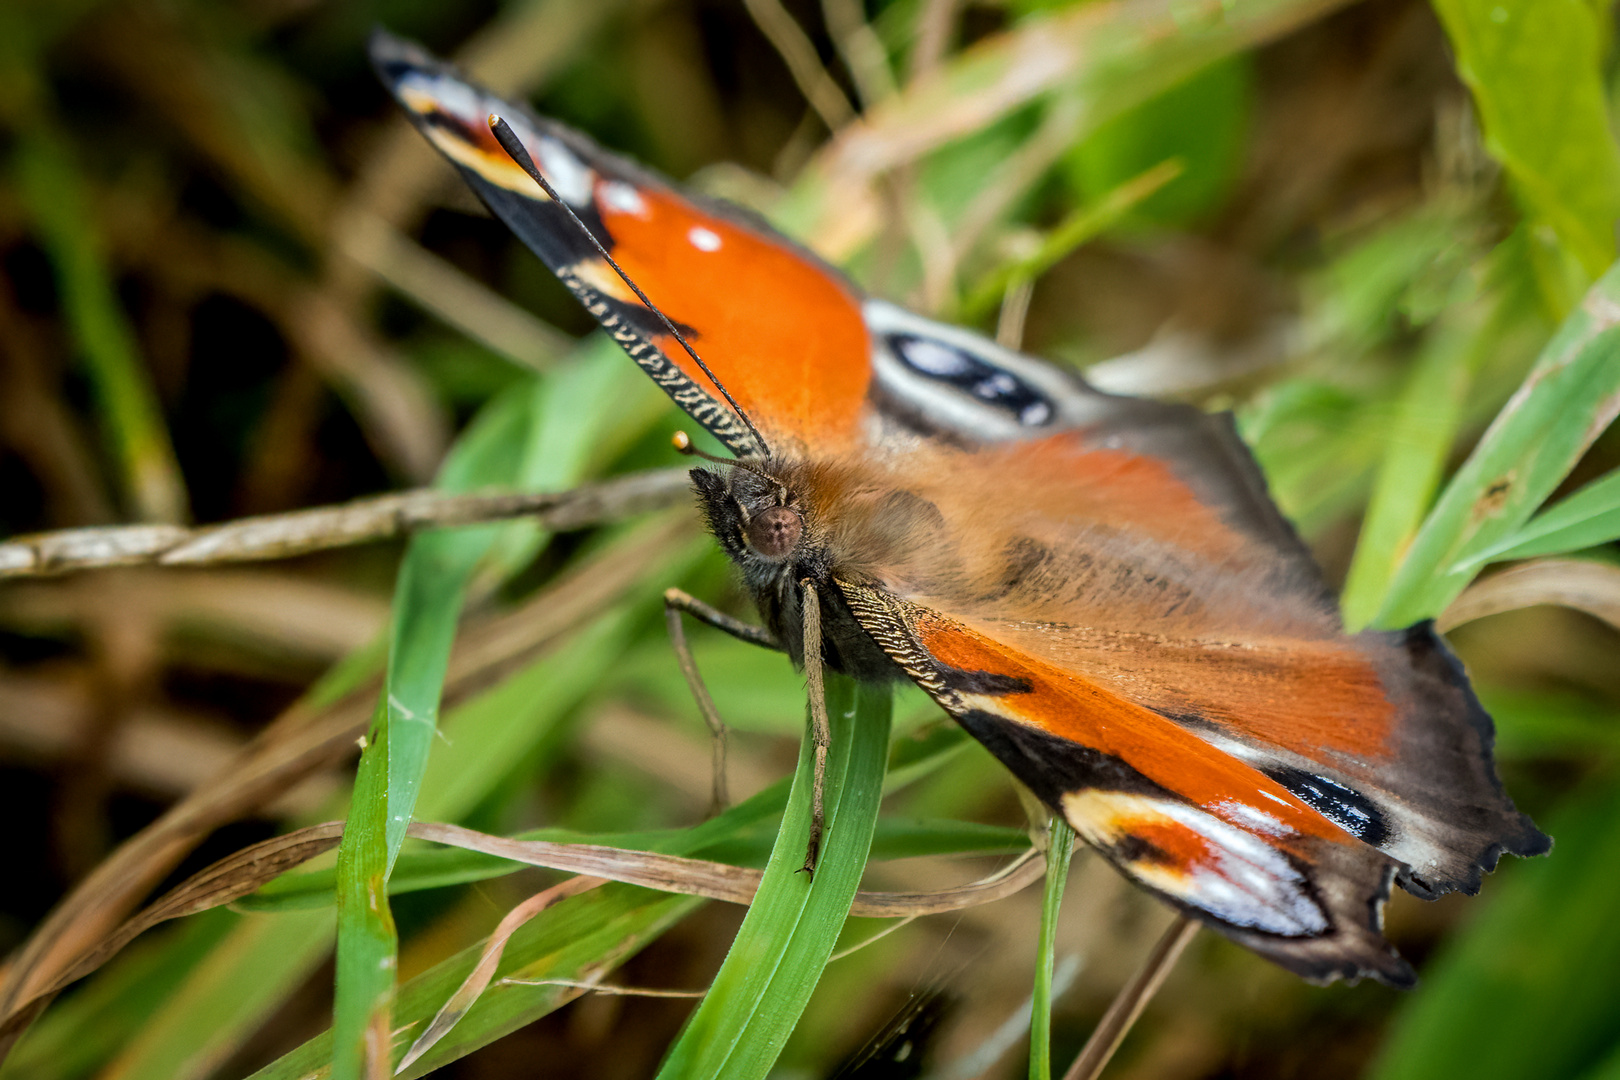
<point x="1133" y="545"/>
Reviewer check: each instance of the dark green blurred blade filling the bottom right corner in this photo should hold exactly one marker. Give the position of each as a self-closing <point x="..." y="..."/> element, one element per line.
<point x="1524" y="995"/>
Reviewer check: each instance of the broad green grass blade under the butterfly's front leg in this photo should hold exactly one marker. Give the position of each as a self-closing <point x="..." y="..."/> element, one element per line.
<point x="793" y="925"/>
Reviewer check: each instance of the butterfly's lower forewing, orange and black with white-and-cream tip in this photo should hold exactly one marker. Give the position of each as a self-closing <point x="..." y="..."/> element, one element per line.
<point x="1200" y="828"/>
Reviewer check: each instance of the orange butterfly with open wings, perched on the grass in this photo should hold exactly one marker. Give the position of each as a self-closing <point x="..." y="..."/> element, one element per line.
<point x="1099" y="589"/>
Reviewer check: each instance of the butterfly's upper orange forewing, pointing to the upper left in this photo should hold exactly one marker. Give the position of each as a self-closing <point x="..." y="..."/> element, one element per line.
<point x="782" y="331"/>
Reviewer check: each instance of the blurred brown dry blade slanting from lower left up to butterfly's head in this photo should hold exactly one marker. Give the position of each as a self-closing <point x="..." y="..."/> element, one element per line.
<point x="301" y="742"/>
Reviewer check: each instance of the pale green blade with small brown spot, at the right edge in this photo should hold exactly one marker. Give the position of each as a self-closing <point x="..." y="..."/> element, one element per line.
<point x="1571" y="398"/>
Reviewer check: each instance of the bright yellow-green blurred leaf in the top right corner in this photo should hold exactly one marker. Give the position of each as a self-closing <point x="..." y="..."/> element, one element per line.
<point x="1537" y="72"/>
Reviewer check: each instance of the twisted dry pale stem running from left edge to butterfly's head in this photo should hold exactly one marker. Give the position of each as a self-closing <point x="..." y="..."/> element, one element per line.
<point x="359" y="522"/>
